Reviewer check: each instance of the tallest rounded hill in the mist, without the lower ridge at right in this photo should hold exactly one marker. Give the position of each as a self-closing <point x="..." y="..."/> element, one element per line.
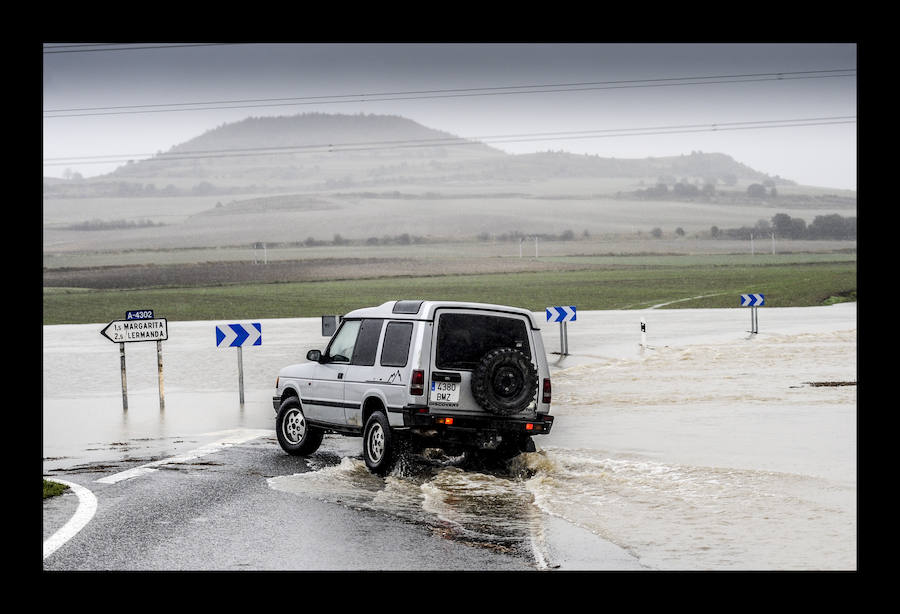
<point x="300" y="147"/>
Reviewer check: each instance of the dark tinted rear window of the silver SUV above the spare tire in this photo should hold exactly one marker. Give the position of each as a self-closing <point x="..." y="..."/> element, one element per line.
<point x="464" y="338"/>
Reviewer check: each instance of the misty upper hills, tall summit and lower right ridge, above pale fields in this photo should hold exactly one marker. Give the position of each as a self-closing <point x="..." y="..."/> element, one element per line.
<point x="314" y="151"/>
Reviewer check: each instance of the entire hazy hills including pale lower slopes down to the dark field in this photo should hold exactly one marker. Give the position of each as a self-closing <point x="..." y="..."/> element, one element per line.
<point x="313" y="177"/>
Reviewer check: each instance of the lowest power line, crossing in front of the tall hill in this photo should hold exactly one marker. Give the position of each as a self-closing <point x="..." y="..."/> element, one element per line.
<point x="454" y="141"/>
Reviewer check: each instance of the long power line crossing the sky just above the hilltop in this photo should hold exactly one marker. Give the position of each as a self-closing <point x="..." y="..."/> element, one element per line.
<point x="445" y="93"/>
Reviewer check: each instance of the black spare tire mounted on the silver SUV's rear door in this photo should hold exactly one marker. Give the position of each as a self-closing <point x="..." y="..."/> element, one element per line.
<point x="504" y="382"/>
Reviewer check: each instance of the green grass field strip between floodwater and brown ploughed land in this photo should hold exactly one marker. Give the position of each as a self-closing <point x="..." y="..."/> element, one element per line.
<point x="685" y="282"/>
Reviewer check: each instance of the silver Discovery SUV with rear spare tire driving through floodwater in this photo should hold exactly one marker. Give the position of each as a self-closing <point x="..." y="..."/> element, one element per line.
<point x="421" y="374"/>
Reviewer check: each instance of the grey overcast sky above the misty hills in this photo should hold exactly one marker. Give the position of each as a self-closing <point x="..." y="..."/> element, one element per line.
<point x="587" y="89"/>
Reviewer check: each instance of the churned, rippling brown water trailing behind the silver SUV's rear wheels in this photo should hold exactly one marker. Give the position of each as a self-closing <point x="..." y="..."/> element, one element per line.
<point x="666" y="516"/>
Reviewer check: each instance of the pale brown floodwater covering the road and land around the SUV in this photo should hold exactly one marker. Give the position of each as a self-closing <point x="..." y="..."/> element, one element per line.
<point x="708" y="449"/>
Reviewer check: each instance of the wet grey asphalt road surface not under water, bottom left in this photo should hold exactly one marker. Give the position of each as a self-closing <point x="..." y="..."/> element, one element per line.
<point x="218" y="513"/>
